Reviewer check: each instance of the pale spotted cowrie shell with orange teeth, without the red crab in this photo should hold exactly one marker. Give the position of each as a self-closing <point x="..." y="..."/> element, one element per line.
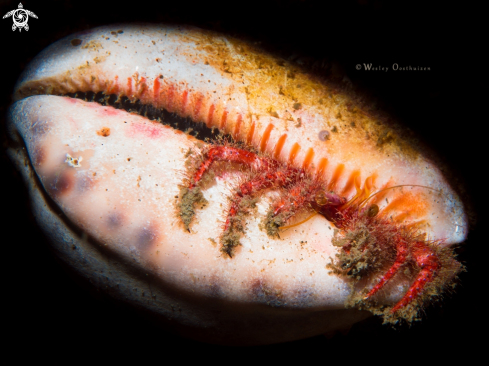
<point x="120" y="198"/>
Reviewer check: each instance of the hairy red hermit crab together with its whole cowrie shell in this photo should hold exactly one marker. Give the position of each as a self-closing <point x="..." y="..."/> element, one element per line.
<point x="302" y="210"/>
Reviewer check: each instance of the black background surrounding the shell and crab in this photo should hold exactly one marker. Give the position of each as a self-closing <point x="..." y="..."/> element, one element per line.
<point x="49" y="316"/>
